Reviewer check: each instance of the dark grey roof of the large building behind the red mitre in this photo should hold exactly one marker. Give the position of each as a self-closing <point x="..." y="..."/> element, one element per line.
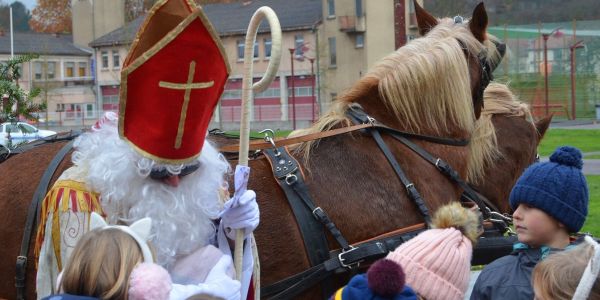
<point x="233" y="19"/>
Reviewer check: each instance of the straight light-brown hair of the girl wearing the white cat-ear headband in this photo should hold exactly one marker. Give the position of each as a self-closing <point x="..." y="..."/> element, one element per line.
<point x="101" y="263"/>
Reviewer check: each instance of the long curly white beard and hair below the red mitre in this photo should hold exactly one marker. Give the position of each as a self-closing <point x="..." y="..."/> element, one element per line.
<point x="181" y="216"/>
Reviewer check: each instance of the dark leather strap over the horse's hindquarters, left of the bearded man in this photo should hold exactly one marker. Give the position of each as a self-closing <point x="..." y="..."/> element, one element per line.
<point x="32" y="217"/>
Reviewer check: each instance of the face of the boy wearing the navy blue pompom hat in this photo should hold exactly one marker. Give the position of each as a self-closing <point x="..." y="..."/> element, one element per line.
<point x="534" y="227"/>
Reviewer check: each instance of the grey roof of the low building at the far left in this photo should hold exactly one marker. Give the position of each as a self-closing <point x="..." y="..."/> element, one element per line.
<point x="41" y="43"/>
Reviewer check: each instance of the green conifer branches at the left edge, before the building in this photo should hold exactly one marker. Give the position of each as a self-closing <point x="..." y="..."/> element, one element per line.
<point x="18" y="98"/>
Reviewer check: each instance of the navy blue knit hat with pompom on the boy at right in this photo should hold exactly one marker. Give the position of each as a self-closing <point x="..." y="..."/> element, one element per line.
<point x="557" y="187"/>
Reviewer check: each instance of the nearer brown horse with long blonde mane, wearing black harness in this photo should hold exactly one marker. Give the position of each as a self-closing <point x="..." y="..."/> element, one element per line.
<point x="431" y="86"/>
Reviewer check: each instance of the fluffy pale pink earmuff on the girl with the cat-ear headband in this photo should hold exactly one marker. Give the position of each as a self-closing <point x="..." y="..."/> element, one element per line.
<point x="149" y="281"/>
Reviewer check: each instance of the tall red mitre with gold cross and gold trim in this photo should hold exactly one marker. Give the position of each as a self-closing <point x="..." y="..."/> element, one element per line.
<point x="171" y="82"/>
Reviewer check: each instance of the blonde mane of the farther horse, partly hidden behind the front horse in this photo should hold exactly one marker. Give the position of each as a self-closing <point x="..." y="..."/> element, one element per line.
<point x="498" y="99"/>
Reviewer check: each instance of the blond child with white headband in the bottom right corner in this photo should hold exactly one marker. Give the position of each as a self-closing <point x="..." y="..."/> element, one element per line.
<point x="571" y="274"/>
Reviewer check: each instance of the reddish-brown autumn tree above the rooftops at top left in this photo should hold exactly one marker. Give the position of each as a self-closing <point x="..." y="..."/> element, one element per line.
<point x="51" y="16"/>
